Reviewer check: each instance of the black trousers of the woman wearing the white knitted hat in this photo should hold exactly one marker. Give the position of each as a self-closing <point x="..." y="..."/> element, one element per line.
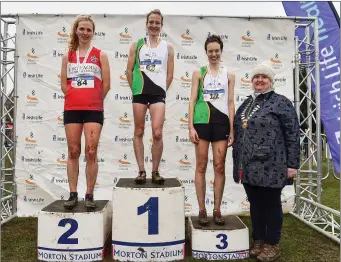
<point x="266" y="213"/>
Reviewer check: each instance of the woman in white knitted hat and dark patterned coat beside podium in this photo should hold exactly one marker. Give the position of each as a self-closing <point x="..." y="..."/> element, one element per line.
<point x="265" y="158"/>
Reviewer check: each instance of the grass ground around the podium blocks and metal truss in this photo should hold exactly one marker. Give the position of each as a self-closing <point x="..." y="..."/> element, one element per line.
<point x="299" y="242"/>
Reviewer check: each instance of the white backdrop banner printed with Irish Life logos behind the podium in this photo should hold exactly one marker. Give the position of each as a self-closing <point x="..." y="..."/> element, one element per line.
<point x="41" y="149"/>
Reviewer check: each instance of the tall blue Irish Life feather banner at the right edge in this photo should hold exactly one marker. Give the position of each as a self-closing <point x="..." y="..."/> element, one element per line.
<point x="329" y="56"/>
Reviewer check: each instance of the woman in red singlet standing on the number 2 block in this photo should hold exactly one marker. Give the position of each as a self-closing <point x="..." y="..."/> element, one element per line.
<point x="85" y="81"/>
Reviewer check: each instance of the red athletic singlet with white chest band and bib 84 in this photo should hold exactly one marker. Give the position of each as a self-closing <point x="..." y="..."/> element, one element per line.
<point x="84" y="82"/>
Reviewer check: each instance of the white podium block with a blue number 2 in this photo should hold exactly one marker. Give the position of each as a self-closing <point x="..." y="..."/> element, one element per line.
<point x="73" y="235"/>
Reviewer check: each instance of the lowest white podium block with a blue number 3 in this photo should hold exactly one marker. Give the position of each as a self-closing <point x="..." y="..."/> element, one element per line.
<point x="214" y="242"/>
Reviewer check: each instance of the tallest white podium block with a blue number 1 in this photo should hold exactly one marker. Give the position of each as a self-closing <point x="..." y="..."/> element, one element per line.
<point x="149" y="221"/>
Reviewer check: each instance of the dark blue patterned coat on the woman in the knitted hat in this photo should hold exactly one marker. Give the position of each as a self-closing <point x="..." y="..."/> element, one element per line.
<point x="269" y="144"/>
